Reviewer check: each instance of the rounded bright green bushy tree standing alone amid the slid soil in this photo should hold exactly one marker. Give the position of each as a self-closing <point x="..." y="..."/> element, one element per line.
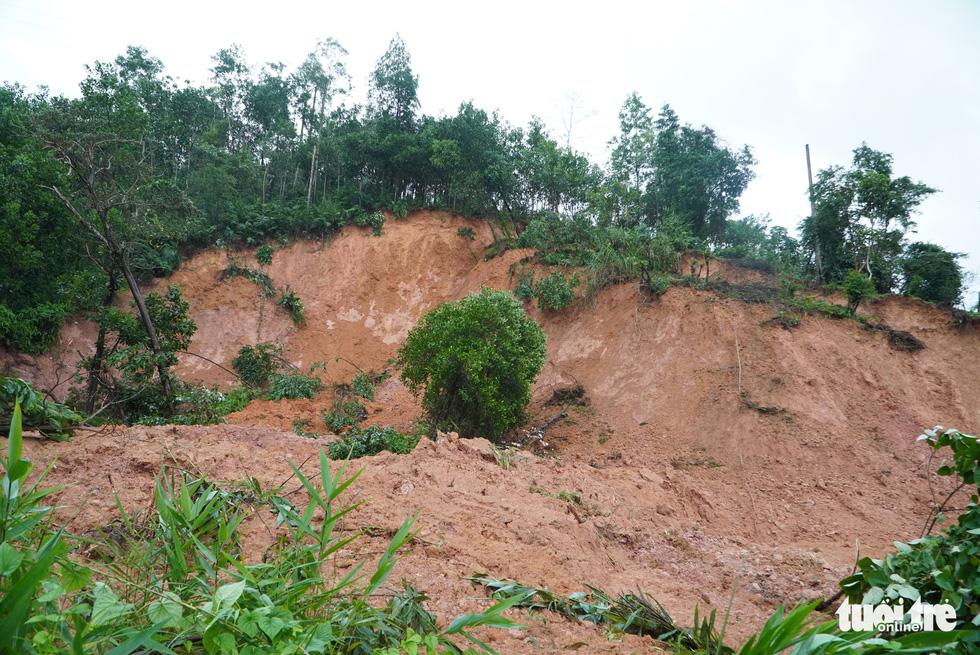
<point x="475" y="359"/>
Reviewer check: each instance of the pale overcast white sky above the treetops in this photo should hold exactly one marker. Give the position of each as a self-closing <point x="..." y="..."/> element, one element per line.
<point x="901" y="75"/>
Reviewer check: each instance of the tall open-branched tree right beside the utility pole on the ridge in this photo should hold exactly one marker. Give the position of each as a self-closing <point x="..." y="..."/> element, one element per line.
<point x="862" y="217"/>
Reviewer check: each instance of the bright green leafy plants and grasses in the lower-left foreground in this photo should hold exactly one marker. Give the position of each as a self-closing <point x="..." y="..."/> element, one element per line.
<point x="175" y="577"/>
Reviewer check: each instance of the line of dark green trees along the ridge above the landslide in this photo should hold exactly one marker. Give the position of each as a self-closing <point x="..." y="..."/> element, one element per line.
<point x="110" y="187"/>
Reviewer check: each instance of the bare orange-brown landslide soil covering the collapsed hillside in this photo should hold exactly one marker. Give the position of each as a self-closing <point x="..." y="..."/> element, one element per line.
<point x="716" y="448"/>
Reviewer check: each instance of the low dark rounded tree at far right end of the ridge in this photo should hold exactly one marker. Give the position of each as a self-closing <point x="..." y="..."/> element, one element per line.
<point x="932" y="273"/>
